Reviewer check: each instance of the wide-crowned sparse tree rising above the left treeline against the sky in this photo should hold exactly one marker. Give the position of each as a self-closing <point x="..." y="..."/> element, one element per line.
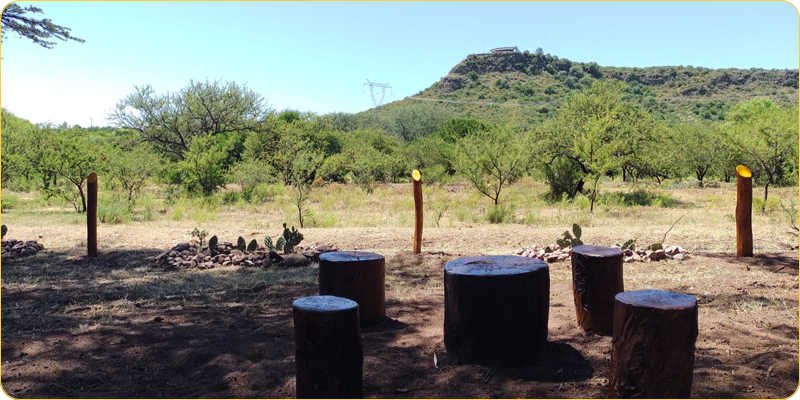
<point x="170" y="122"/>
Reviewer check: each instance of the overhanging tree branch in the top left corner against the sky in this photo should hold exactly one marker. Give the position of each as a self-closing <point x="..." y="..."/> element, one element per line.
<point x="14" y="19"/>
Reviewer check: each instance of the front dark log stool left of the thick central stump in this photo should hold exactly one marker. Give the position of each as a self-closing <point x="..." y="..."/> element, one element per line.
<point x="328" y="353"/>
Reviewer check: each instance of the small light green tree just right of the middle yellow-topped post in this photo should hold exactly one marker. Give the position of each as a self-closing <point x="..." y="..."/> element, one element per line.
<point x="492" y="159"/>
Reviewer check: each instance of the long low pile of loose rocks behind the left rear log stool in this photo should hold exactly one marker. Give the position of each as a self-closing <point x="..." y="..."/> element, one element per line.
<point x="184" y="256"/>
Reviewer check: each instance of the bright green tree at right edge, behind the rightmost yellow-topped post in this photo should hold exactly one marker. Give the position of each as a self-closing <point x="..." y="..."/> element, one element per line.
<point x="766" y="133"/>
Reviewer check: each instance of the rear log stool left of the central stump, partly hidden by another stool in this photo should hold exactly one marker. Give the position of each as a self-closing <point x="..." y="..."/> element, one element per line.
<point x="358" y="276"/>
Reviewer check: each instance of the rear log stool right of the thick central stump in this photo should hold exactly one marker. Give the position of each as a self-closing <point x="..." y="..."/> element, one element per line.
<point x="596" y="279"/>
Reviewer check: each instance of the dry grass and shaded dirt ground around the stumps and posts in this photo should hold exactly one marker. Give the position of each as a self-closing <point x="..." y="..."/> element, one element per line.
<point x="119" y="326"/>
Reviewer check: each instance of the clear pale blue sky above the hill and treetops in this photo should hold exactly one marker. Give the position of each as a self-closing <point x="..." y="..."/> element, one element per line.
<point x="316" y="56"/>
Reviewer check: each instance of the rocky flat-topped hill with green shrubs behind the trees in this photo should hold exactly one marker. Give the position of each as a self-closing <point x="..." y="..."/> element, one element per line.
<point x="497" y="85"/>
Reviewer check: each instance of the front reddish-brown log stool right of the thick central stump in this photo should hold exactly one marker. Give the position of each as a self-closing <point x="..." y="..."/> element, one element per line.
<point x="653" y="345"/>
